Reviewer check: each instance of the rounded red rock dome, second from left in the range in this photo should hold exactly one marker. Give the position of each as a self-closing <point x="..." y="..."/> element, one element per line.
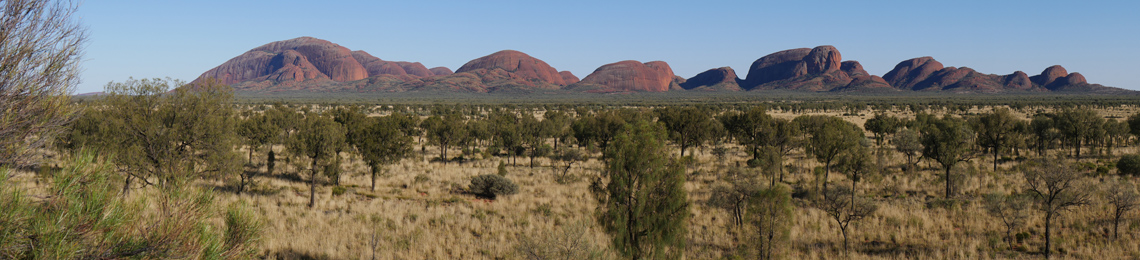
<point x="517" y="63"/>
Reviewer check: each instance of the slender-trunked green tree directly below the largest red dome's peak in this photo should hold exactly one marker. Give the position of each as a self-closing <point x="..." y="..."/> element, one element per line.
<point x="317" y="140"/>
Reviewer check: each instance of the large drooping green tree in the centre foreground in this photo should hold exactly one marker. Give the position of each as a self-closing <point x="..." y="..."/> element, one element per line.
<point x="644" y="206"/>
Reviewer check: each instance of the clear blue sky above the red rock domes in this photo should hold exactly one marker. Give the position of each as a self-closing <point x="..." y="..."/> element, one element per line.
<point x="184" y="39"/>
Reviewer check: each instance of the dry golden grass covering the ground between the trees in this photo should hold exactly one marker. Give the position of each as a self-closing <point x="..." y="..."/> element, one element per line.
<point x="421" y="210"/>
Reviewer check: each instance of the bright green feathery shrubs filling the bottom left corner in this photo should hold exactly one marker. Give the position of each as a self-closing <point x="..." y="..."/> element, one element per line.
<point x="84" y="216"/>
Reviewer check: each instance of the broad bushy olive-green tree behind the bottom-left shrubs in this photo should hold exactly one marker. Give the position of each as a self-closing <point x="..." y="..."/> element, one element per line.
<point x="170" y="137"/>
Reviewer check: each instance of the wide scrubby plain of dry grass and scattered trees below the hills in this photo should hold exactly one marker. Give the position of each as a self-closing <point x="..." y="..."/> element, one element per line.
<point x="425" y="207"/>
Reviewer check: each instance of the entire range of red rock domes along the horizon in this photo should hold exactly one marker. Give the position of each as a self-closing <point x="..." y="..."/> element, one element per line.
<point x="315" y="66"/>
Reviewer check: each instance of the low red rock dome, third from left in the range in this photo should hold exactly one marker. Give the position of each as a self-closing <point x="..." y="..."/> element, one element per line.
<point x="632" y="76"/>
